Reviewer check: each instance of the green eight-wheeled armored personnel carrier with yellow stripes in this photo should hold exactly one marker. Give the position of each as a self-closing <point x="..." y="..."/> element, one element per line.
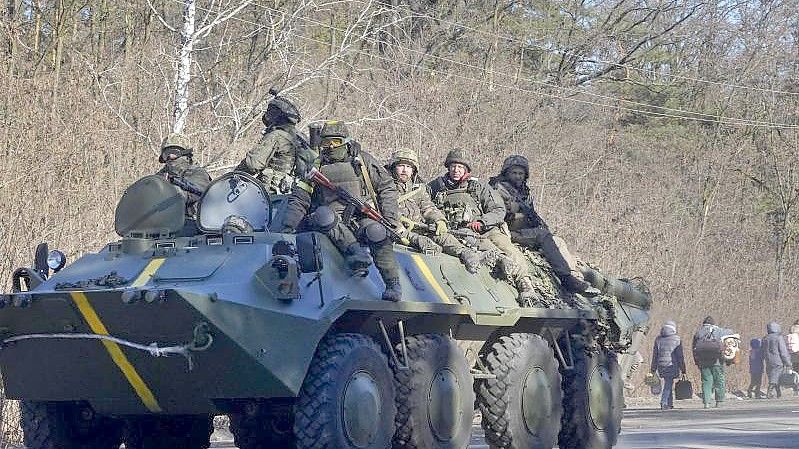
<point x="148" y="339"/>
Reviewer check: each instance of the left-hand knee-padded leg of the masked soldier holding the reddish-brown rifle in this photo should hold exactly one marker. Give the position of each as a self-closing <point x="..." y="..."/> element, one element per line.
<point x="329" y="223"/>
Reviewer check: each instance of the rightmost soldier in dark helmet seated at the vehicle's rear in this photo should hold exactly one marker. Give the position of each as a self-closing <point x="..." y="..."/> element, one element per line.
<point x="528" y="228"/>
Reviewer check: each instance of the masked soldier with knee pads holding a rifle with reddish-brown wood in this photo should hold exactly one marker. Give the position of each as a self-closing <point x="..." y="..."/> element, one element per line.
<point x="342" y="162"/>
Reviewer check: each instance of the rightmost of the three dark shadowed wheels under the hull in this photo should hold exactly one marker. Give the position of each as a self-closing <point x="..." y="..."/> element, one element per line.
<point x="262" y="428"/>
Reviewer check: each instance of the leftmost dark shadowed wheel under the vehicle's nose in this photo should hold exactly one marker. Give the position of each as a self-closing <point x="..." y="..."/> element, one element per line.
<point x="67" y="425"/>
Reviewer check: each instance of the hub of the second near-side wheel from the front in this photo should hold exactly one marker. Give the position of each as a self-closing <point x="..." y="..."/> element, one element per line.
<point x="444" y="405"/>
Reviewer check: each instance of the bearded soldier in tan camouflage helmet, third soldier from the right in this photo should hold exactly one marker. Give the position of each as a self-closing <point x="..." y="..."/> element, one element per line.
<point x="417" y="211"/>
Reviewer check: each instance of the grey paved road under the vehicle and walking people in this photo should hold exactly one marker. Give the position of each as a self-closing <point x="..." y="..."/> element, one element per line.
<point x="738" y="425"/>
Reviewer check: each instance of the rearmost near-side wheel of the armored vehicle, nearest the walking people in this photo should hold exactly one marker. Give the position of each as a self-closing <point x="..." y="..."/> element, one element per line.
<point x="593" y="401"/>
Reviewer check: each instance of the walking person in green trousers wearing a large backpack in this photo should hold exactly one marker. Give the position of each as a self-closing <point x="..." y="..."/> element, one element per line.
<point x="710" y="365"/>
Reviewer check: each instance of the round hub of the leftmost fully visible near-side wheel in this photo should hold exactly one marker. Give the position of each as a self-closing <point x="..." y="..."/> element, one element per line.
<point x="361" y="409"/>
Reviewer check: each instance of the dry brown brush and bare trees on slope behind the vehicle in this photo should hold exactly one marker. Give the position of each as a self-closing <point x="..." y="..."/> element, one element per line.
<point x="662" y="134"/>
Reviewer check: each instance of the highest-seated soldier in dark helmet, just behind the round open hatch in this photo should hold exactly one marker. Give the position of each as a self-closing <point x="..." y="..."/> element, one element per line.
<point x="279" y="153"/>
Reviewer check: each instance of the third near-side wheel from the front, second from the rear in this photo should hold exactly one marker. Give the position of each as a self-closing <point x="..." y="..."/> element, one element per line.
<point x="522" y="406"/>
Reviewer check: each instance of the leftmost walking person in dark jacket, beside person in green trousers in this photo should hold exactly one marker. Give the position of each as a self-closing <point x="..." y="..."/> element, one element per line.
<point x="668" y="361"/>
